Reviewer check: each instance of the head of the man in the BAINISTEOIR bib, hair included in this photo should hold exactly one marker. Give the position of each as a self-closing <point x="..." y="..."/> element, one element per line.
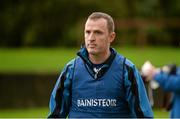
<point x="99" y="33"/>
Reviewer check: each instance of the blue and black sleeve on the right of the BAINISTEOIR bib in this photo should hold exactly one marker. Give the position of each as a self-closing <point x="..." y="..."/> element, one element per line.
<point x="135" y="93"/>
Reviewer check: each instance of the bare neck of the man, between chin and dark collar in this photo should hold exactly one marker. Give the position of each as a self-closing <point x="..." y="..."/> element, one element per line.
<point x="99" y="59"/>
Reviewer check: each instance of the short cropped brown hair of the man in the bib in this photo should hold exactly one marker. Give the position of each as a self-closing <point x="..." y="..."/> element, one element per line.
<point x="108" y="18"/>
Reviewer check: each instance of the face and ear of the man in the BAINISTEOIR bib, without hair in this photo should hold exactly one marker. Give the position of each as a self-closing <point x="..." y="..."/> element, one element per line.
<point x="97" y="36"/>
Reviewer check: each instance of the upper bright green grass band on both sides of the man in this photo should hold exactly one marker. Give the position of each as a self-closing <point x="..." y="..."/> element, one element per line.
<point x="53" y="59"/>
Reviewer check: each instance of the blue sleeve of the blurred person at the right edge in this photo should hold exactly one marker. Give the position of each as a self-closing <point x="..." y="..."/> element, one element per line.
<point x="168" y="82"/>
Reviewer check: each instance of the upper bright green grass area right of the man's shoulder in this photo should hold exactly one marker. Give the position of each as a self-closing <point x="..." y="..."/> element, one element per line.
<point x="158" y="56"/>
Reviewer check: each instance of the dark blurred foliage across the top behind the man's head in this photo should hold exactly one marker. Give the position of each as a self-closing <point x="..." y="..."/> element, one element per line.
<point x="49" y="23"/>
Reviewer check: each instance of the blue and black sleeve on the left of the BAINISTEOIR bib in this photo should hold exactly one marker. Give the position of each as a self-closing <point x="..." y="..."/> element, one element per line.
<point x="60" y="100"/>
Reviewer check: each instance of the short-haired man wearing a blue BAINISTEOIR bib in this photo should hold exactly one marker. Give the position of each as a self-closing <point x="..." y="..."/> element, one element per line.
<point x="99" y="83"/>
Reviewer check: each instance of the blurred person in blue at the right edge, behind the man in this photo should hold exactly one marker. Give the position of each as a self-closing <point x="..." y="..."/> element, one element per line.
<point x="168" y="77"/>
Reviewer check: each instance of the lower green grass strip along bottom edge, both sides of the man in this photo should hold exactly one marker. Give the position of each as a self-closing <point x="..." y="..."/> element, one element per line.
<point x="43" y="112"/>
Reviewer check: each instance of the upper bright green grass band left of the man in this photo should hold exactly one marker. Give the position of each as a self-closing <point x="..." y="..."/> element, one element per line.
<point x="34" y="60"/>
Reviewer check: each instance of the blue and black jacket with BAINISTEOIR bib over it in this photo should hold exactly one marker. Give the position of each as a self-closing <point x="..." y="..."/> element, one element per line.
<point x="114" y="90"/>
